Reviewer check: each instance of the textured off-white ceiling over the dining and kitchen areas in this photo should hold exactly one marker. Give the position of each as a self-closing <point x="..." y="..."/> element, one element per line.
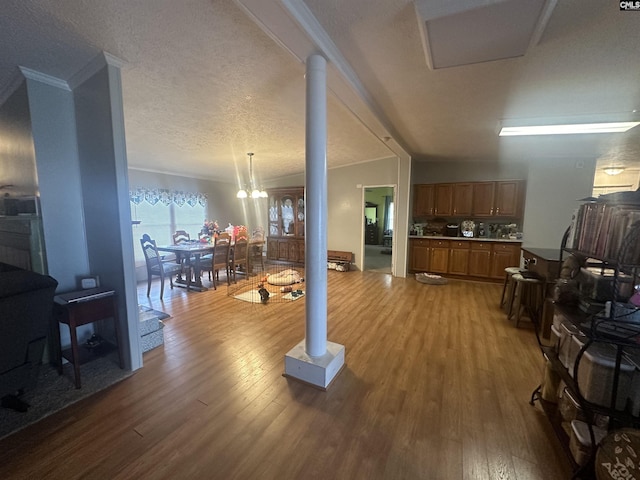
<point x="203" y="84"/>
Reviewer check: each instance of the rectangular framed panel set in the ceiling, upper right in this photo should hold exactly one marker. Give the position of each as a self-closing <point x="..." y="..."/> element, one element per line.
<point x="463" y="32"/>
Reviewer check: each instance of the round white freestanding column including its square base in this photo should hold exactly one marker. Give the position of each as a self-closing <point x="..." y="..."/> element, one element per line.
<point x="314" y="360"/>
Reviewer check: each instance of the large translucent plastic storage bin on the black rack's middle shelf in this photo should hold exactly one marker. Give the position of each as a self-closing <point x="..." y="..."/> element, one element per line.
<point x="596" y="372"/>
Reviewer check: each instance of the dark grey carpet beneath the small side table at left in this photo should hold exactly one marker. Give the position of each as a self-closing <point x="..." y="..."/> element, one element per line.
<point x="53" y="392"/>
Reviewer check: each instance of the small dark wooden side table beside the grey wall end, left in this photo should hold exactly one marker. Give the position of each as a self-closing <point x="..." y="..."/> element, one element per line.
<point x="81" y="308"/>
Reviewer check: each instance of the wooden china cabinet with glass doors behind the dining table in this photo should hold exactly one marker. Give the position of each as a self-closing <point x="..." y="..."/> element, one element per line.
<point x="285" y="241"/>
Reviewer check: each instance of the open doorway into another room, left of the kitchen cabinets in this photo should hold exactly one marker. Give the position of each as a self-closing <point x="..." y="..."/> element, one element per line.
<point x="379" y="218"/>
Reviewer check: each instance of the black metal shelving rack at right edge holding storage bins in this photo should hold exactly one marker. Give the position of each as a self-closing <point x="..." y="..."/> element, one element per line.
<point x="616" y="327"/>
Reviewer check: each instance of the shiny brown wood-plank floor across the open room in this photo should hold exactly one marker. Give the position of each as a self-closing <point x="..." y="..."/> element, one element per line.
<point x="436" y="386"/>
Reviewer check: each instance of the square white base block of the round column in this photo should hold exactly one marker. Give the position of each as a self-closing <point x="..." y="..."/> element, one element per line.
<point x="315" y="371"/>
